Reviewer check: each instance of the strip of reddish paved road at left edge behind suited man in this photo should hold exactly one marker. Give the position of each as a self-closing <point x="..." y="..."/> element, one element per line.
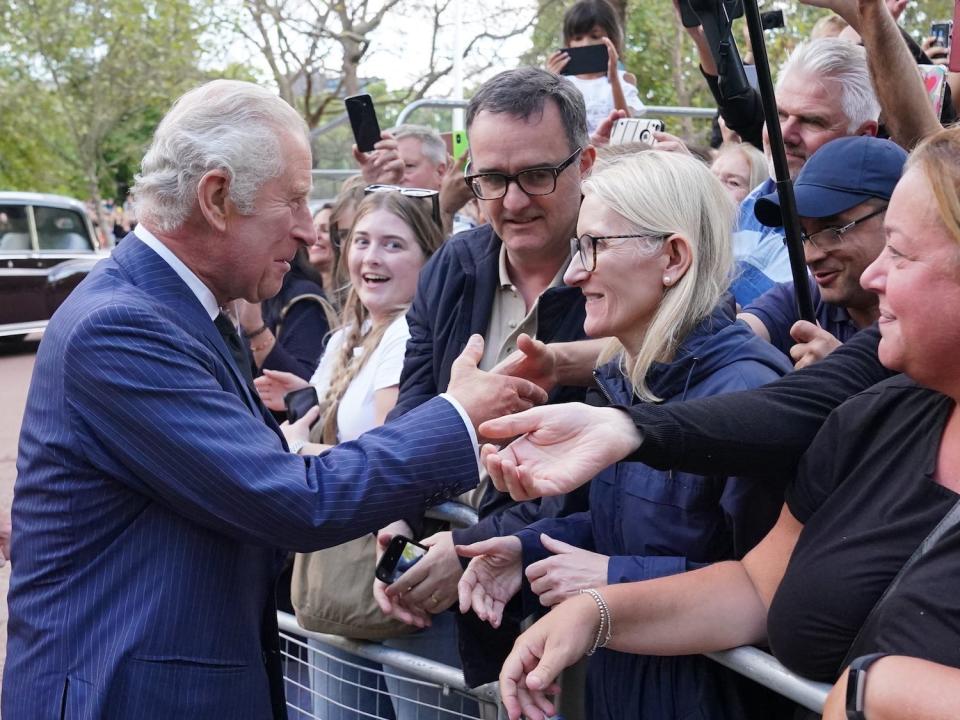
<point x="16" y="365"/>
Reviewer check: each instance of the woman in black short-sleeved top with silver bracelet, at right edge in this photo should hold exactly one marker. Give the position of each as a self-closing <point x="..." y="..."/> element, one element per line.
<point x="882" y="472"/>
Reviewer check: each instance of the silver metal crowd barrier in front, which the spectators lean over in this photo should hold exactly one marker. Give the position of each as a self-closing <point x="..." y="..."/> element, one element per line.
<point x="417" y="673"/>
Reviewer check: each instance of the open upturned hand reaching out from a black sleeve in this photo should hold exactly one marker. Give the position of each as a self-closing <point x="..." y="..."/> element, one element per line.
<point x="561" y="448"/>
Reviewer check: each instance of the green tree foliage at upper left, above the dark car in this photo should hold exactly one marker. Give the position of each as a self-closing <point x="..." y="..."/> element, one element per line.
<point x="86" y="84"/>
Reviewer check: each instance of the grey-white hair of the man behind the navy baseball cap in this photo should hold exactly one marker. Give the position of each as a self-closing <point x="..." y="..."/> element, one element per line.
<point x="844" y="63"/>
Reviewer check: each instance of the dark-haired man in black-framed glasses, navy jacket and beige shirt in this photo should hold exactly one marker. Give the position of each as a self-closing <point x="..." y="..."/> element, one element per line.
<point x="529" y="150"/>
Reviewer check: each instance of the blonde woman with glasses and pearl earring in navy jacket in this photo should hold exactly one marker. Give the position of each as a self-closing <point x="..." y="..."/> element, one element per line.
<point x="653" y="259"/>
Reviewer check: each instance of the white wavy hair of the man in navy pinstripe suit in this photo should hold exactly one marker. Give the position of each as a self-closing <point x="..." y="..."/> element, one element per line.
<point x="222" y="125"/>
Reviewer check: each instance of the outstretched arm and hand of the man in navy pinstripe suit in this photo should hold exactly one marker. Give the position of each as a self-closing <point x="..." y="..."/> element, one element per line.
<point x="173" y="434"/>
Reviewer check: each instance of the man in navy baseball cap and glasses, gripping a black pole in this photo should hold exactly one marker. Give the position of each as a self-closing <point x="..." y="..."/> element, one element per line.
<point x="842" y="192"/>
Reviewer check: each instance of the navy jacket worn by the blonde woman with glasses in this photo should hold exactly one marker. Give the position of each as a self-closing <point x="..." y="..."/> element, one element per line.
<point x="652" y="523"/>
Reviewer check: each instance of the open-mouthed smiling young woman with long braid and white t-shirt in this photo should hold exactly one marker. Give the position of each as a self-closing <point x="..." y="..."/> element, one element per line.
<point x="357" y="382"/>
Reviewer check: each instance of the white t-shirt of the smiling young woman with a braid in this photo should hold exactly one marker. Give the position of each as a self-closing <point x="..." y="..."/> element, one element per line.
<point x="356" y="414"/>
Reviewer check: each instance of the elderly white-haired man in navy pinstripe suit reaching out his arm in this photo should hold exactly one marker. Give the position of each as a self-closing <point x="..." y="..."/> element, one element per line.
<point x="155" y="497"/>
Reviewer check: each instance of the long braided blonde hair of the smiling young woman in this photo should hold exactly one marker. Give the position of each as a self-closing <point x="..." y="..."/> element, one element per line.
<point x="354" y="317"/>
